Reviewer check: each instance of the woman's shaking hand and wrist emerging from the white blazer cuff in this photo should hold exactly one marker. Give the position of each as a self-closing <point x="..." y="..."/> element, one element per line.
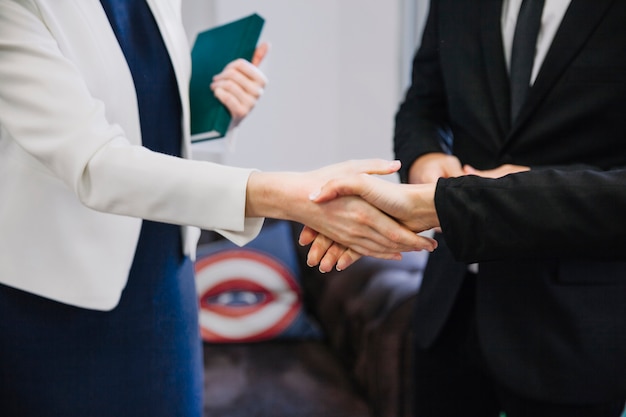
<point x="350" y="221"/>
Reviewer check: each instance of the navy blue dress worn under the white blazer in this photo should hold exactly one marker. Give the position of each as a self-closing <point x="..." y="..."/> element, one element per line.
<point x="144" y="357"/>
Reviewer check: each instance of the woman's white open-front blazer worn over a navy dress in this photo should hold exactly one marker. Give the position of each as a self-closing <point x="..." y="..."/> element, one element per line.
<point x="75" y="181"/>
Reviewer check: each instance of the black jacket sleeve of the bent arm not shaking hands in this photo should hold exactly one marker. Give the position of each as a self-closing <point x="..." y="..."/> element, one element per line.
<point x="421" y="124"/>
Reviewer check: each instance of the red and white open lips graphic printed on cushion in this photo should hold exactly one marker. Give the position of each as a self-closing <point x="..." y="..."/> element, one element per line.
<point x="245" y="296"/>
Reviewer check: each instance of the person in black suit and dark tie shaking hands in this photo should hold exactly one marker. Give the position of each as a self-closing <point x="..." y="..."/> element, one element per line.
<point x="522" y="307"/>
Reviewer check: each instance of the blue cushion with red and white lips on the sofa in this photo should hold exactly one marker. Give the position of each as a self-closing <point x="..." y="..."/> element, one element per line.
<point x="252" y="293"/>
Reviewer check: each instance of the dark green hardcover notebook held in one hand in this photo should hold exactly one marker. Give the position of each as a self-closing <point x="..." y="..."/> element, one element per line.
<point x="212" y="51"/>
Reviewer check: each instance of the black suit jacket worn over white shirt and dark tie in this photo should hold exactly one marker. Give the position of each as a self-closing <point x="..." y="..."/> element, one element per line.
<point x="551" y="305"/>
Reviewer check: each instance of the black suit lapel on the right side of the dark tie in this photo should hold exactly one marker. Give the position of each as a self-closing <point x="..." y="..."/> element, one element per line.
<point x="579" y="21"/>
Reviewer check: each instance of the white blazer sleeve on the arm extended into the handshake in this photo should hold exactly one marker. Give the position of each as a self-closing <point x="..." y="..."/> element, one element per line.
<point x="47" y="109"/>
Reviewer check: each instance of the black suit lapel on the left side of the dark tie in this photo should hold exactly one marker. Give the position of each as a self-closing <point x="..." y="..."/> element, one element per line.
<point x="495" y="65"/>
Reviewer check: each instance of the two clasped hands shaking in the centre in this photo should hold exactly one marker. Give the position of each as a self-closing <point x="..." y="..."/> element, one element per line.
<point x="347" y="211"/>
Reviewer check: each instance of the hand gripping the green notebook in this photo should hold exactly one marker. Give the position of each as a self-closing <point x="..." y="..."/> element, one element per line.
<point x="240" y="85"/>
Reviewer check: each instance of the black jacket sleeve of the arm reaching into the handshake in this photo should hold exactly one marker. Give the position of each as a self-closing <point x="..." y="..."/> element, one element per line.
<point x="542" y="214"/>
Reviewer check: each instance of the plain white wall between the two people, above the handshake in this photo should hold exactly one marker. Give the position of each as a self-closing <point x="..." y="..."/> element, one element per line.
<point x="337" y="70"/>
